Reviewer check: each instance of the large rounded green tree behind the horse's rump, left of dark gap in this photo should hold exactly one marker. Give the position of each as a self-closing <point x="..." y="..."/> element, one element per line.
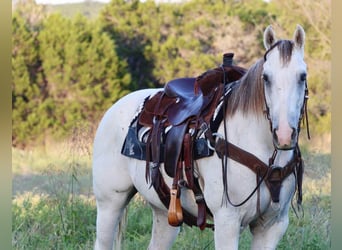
<point x="83" y="72"/>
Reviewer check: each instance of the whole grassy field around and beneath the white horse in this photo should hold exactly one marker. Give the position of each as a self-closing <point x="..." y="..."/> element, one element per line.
<point x="54" y="208"/>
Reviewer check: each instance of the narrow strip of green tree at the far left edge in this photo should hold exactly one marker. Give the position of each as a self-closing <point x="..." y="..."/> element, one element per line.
<point x="26" y="86"/>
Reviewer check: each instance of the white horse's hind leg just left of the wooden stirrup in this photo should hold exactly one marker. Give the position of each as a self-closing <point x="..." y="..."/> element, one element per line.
<point x="163" y="235"/>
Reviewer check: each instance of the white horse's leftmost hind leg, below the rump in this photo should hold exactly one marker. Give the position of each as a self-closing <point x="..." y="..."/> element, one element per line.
<point x="110" y="218"/>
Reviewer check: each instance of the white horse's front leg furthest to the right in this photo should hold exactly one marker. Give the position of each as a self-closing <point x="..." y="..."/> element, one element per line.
<point x="268" y="237"/>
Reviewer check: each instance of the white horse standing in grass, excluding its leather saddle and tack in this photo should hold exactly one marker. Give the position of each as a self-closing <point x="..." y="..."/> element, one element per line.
<point x="276" y="85"/>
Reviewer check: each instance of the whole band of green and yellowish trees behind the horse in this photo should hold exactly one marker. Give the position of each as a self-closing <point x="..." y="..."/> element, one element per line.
<point x="72" y="69"/>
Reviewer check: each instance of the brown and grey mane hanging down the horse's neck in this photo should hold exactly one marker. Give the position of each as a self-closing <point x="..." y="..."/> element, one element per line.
<point x="248" y="97"/>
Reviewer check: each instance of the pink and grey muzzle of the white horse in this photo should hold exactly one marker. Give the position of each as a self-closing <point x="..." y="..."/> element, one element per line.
<point x="285" y="139"/>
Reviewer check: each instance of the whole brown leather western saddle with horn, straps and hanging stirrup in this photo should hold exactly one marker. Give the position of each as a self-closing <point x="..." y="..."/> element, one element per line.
<point x="184" y="109"/>
